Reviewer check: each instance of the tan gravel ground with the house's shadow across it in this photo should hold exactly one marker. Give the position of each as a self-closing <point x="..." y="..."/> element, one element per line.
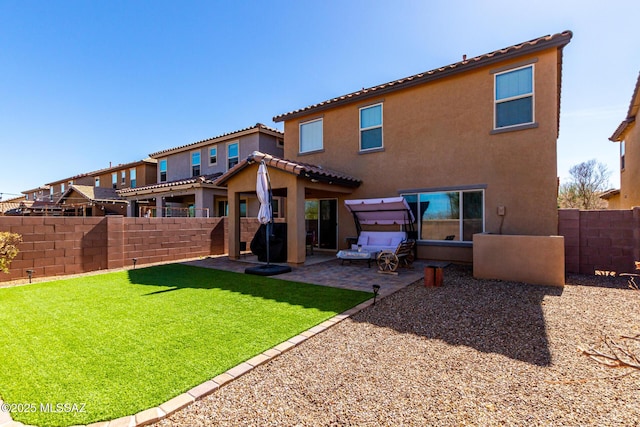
<point x="472" y="352"/>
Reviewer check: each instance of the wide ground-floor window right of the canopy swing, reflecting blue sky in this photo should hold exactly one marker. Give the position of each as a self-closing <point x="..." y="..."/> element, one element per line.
<point x="454" y="215"/>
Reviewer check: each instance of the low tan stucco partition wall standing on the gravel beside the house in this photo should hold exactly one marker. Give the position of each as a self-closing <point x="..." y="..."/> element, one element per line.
<point x="531" y="259"/>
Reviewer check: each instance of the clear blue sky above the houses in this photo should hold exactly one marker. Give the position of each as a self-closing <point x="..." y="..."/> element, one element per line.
<point x="86" y="83"/>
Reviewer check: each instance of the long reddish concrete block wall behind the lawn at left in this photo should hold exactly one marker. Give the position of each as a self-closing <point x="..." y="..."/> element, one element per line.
<point x="55" y="246"/>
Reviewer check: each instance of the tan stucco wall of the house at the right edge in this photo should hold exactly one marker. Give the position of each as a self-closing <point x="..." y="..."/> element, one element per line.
<point x="630" y="176"/>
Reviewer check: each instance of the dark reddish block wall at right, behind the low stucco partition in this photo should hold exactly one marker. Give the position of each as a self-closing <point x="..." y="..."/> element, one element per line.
<point x="606" y="240"/>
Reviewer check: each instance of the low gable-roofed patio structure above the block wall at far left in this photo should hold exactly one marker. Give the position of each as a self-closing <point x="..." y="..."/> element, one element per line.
<point x="87" y="200"/>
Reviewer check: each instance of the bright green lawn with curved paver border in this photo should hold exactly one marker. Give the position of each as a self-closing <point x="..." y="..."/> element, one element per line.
<point x="118" y="343"/>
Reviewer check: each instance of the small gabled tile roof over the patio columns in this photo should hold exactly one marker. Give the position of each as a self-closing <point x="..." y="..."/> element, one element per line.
<point x="306" y="170"/>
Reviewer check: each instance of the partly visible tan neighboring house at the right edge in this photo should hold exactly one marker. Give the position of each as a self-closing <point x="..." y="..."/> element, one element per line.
<point x="628" y="135"/>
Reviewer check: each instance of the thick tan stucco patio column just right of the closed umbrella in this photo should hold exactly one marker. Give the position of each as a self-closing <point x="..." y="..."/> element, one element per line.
<point x="296" y="234"/>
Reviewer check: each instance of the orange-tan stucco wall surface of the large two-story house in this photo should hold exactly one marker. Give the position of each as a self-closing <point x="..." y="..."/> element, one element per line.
<point x="437" y="135"/>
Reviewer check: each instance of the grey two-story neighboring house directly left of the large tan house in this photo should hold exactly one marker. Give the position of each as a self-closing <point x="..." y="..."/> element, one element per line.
<point x="185" y="178"/>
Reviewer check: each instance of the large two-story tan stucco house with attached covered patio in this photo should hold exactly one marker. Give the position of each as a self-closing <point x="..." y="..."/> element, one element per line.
<point x="471" y="146"/>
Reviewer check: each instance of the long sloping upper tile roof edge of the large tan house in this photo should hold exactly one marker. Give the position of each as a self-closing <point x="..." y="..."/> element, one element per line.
<point x="540" y="43"/>
